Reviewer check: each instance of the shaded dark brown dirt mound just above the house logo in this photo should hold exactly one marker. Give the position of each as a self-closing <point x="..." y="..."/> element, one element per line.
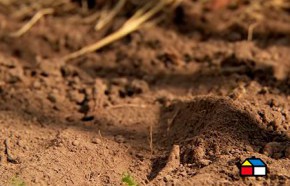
<point x="209" y="127"/>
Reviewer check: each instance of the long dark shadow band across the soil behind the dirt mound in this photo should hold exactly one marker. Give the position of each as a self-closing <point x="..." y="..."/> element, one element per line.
<point x="220" y="76"/>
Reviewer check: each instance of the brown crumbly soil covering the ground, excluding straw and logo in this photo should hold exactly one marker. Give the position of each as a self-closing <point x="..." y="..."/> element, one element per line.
<point x="180" y="103"/>
